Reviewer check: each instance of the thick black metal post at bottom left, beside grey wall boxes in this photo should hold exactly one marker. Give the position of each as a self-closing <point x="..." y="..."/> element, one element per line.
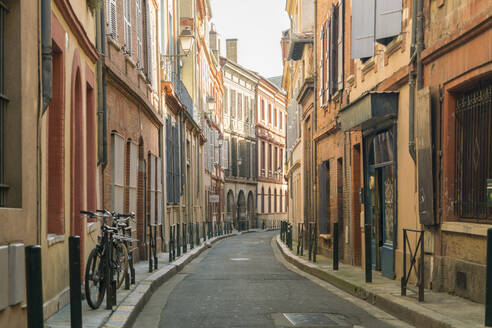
<point x="34" y="287"/>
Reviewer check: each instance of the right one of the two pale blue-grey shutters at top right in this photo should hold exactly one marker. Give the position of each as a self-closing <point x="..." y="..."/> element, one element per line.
<point x="388" y="18"/>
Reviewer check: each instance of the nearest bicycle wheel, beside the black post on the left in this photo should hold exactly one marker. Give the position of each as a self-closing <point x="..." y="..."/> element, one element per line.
<point x="94" y="279"/>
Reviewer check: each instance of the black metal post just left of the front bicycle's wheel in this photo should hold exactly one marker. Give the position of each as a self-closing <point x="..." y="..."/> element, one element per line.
<point x="75" y="282"/>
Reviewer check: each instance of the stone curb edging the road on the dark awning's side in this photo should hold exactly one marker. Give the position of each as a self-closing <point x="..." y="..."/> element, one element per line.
<point x="396" y="306"/>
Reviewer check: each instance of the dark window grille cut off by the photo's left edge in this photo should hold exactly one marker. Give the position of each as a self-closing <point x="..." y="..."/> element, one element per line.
<point x="3" y="107"/>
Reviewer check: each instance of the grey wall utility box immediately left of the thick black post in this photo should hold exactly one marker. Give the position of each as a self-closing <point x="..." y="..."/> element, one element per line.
<point x="17" y="273"/>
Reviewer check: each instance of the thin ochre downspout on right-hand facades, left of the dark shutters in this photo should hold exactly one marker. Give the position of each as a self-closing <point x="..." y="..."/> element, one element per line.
<point x="315" y="115"/>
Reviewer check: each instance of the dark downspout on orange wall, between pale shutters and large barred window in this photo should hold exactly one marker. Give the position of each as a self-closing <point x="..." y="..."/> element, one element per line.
<point x="411" y="82"/>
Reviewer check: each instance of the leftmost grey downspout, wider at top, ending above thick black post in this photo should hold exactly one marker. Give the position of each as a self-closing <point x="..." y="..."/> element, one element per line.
<point x="45" y="89"/>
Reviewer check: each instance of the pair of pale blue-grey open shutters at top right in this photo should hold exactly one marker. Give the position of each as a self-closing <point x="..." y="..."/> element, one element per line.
<point x="373" y="20"/>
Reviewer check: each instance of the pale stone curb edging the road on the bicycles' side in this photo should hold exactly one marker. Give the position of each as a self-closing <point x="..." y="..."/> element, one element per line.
<point x="125" y="314"/>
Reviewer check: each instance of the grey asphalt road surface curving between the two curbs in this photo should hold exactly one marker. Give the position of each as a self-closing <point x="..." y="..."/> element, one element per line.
<point x="242" y="281"/>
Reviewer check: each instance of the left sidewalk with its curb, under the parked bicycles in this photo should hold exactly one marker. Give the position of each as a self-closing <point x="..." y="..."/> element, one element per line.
<point x="130" y="302"/>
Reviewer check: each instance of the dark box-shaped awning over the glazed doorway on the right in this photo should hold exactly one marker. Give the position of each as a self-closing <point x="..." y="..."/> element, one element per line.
<point x="369" y="110"/>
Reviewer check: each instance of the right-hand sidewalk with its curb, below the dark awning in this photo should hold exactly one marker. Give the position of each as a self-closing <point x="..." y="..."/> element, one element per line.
<point x="438" y="310"/>
